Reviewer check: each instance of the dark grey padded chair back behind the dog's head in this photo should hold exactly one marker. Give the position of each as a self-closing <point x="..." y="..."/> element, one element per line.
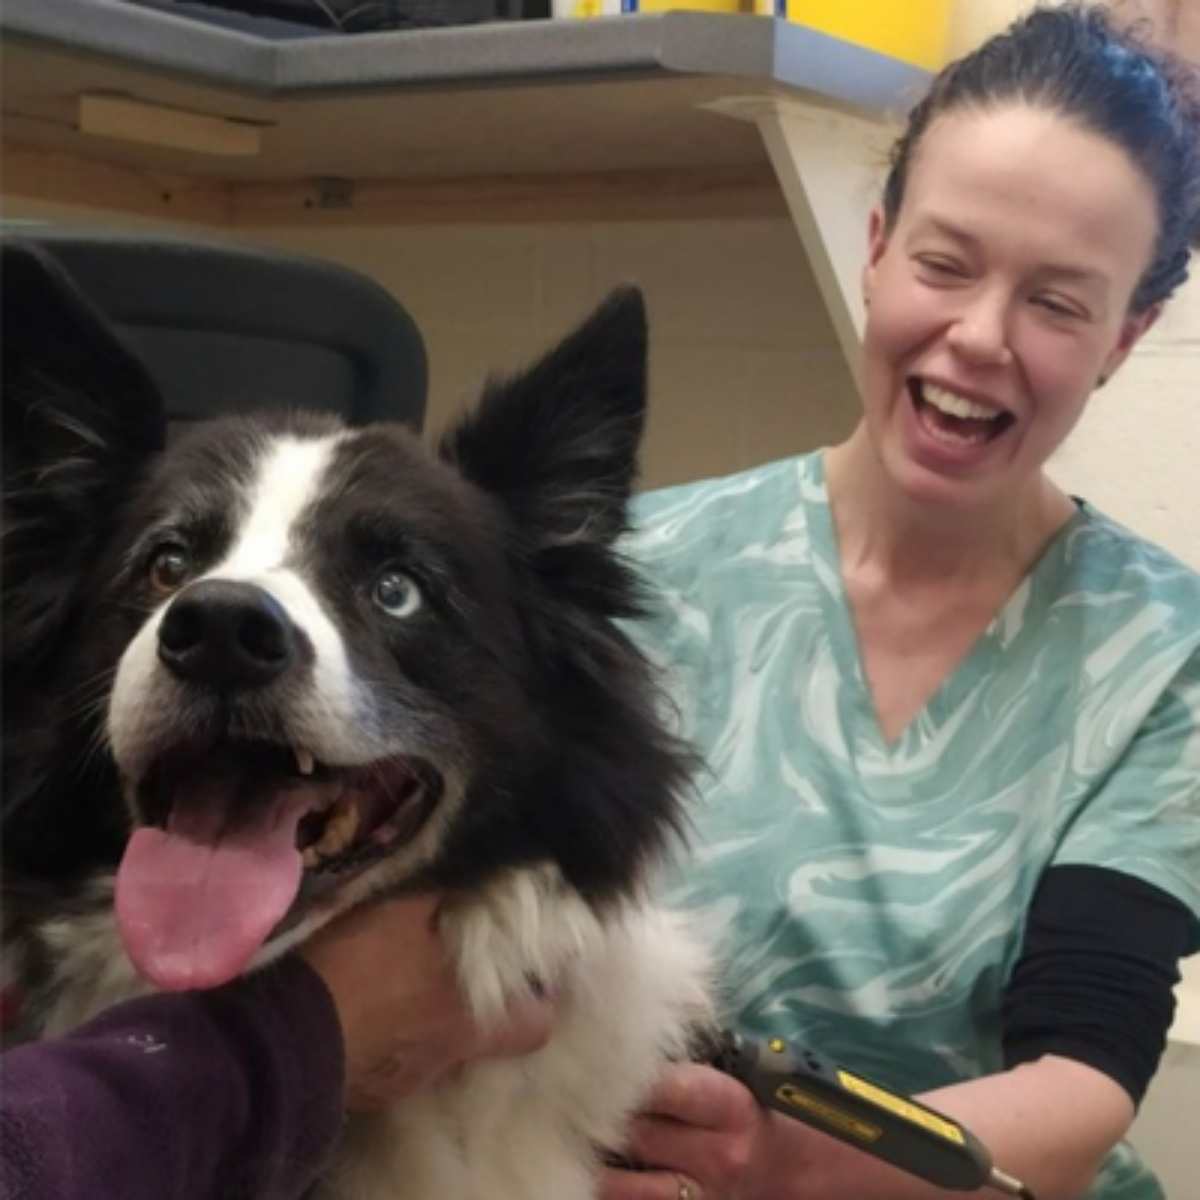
<point x="226" y="329"/>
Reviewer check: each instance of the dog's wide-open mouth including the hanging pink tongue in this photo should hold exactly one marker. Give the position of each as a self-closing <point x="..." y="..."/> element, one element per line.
<point x="235" y="833"/>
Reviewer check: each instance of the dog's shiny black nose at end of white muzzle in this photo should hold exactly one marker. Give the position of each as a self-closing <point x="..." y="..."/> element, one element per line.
<point x="227" y="635"/>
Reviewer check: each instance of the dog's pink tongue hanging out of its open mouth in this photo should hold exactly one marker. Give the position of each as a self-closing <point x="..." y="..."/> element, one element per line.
<point x="196" y="902"/>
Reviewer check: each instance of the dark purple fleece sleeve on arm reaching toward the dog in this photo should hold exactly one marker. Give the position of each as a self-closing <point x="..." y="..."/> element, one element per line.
<point x="236" y="1093"/>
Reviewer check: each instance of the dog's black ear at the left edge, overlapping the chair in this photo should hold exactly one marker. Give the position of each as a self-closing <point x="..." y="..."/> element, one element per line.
<point x="81" y="416"/>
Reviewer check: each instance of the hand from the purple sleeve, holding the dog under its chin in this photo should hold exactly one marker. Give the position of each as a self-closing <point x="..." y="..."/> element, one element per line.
<point x="405" y="1023"/>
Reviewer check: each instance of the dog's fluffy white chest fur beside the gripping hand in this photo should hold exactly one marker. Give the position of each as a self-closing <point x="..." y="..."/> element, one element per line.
<point x="634" y="988"/>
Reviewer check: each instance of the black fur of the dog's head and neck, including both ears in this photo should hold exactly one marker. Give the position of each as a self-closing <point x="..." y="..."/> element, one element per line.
<point x="511" y="526"/>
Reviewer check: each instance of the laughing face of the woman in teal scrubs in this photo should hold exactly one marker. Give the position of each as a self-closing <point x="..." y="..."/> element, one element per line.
<point x="999" y="299"/>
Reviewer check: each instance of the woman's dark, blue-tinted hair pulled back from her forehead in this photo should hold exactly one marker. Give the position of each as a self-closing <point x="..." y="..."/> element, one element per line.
<point x="1077" y="62"/>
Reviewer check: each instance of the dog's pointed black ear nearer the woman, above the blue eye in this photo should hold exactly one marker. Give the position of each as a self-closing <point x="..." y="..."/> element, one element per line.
<point x="559" y="445"/>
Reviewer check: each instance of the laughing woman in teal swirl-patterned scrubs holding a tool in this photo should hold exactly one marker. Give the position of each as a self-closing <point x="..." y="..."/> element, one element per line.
<point x="950" y="713"/>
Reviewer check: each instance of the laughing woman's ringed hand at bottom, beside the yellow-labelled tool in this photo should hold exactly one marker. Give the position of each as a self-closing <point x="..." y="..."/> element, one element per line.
<point x="703" y="1136"/>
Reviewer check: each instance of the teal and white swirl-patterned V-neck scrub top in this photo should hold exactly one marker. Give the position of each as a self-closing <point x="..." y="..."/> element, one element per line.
<point x="871" y="898"/>
